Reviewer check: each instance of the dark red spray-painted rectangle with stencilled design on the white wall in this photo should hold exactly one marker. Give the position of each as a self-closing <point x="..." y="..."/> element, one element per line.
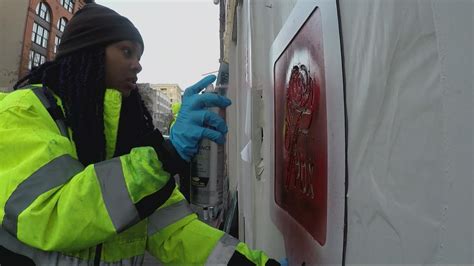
<point x="301" y="130"/>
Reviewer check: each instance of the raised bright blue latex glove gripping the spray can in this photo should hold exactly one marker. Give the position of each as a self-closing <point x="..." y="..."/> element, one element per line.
<point x="190" y="126"/>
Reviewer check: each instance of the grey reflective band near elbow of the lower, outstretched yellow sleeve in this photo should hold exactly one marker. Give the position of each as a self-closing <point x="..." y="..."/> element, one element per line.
<point x="168" y="215"/>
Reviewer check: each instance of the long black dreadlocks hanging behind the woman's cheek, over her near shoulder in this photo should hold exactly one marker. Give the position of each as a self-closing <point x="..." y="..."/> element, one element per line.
<point x="79" y="80"/>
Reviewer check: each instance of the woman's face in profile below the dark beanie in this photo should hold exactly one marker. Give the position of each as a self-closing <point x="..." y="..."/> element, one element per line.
<point x="122" y="64"/>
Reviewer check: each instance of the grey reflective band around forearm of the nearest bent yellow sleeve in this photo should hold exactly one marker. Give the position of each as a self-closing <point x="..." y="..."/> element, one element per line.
<point x="122" y="210"/>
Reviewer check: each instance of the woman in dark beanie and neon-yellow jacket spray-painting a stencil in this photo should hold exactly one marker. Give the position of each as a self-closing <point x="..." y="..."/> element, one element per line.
<point x="85" y="177"/>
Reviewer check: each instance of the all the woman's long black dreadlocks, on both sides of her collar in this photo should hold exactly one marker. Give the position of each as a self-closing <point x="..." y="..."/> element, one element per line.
<point x="79" y="80"/>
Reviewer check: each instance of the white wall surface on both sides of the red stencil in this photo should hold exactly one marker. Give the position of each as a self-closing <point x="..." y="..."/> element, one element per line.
<point x="409" y="69"/>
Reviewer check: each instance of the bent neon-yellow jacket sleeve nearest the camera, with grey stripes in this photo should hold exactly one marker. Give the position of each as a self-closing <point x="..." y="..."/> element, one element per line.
<point x="50" y="201"/>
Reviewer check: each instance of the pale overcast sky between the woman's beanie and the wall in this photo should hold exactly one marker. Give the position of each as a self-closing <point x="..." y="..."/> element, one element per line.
<point x="181" y="38"/>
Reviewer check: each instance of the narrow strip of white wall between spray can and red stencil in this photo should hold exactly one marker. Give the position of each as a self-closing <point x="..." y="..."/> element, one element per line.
<point x="260" y="20"/>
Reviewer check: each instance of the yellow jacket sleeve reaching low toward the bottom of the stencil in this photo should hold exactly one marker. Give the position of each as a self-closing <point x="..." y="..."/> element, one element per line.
<point x="177" y="237"/>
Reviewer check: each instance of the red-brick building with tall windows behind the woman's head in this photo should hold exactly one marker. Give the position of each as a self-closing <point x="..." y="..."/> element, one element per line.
<point x="30" y="32"/>
